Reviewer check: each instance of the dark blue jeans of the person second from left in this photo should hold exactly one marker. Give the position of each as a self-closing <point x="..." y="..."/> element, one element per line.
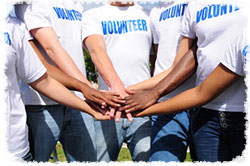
<point x="50" y="124"/>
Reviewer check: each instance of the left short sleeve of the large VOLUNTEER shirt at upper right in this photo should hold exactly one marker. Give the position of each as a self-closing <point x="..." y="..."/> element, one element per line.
<point x="187" y="22"/>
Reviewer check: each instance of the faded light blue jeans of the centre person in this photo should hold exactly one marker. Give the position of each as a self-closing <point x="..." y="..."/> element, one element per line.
<point x="111" y="135"/>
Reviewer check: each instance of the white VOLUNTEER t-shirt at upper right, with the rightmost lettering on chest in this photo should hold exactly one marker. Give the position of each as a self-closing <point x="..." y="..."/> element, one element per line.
<point x="213" y="22"/>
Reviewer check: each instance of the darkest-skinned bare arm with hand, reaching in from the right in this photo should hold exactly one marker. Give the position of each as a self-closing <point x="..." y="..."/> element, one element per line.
<point x="145" y="98"/>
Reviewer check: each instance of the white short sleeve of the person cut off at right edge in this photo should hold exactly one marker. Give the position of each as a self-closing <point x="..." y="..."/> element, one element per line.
<point x="233" y="58"/>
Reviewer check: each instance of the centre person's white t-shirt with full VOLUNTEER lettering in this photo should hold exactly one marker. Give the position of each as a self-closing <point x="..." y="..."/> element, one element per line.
<point x="127" y="35"/>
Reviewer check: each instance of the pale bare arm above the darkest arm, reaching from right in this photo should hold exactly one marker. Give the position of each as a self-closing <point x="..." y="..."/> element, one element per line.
<point x="185" y="45"/>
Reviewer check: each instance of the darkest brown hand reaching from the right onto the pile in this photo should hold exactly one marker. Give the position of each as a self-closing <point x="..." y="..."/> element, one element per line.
<point x="140" y="100"/>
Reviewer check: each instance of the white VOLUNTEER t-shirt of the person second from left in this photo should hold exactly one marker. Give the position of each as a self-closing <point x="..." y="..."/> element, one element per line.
<point x="64" y="17"/>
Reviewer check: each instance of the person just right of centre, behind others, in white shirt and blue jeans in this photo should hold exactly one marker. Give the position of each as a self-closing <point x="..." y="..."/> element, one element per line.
<point x="170" y="133"/>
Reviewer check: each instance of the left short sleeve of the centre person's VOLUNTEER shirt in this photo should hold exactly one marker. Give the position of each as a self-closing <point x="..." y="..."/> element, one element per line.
<point x="90" y="24"/>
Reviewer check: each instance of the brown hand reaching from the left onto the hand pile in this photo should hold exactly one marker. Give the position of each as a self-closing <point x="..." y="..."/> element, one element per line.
<point x="103" y="98"/>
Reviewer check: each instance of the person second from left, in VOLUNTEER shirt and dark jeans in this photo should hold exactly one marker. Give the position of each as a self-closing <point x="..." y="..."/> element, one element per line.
<point x="56" y="28"/>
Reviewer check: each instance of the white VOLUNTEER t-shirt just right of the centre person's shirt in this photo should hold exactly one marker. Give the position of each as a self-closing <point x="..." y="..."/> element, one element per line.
<point x="166" y="23"/>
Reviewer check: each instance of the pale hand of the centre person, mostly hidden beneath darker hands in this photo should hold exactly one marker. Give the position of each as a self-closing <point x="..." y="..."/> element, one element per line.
<point x="118" y="114"/>
